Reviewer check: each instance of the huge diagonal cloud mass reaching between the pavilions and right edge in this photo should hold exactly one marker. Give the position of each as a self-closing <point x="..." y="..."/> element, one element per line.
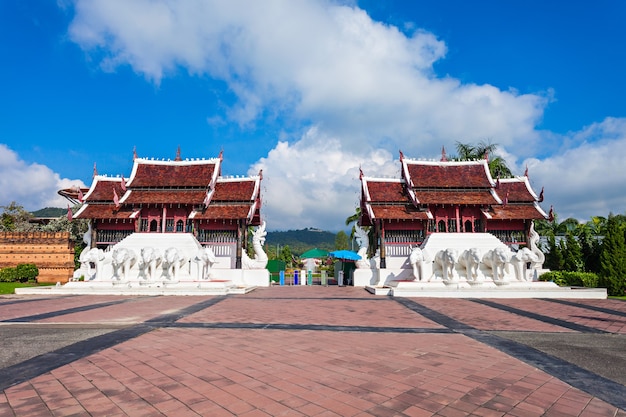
<point x="361" y="89"/>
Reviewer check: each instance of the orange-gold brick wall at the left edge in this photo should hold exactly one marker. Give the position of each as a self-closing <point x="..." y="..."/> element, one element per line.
<point x="53" y="253"/>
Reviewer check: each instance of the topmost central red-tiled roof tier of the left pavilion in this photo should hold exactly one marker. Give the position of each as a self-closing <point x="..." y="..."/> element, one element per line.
<point x="172" y="173"/>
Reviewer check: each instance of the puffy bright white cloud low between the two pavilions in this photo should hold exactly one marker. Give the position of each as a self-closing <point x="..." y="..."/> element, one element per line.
<point x="315" y="182"/>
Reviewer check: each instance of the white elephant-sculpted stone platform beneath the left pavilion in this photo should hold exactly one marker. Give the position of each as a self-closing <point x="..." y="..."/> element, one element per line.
<point x="184" y="273"/>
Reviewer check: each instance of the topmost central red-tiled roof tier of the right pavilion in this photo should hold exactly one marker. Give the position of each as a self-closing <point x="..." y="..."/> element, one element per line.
<point x="448" y="174"/>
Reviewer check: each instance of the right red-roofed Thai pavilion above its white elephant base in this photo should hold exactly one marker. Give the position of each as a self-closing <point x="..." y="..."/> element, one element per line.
<point x="446" y="196"/>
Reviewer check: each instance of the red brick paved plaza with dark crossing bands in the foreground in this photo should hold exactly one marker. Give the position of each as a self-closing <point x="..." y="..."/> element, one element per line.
<point x="310" y="351"/>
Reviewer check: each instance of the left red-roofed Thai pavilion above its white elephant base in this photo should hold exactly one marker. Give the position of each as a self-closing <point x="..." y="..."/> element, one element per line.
<point x="171" y="196"/>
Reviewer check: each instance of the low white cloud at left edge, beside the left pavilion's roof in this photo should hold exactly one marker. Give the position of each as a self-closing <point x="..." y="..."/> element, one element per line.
<point x="32" y="186"/>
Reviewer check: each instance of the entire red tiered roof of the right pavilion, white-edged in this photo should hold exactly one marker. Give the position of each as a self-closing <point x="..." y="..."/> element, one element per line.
<point x="444" y="183"/>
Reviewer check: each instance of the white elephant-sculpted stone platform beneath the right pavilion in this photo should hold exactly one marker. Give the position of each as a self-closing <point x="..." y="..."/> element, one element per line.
<point x="398" y="278"/>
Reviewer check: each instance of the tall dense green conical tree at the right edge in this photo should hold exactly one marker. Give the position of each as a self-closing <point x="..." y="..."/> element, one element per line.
<point x="613" y="256"/>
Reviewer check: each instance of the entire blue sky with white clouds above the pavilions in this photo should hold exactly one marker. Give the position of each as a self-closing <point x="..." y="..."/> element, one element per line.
<point x="309" y="91"/>
